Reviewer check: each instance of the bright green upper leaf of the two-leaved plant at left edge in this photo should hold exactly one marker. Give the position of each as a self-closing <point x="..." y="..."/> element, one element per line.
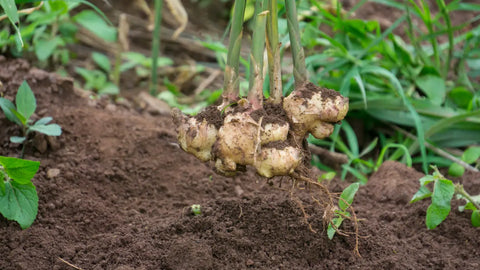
<point x="20" y="170"/>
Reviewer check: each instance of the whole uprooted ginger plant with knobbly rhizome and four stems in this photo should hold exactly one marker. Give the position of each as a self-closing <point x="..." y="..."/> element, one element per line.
<point x="250" y="131"/>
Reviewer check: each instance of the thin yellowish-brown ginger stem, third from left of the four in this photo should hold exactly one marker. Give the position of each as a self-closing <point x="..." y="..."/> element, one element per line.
<point x="273" y="52"/>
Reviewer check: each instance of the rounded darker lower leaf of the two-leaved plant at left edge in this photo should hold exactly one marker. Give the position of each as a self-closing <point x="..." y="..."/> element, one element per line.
<point x="19" y="203"/>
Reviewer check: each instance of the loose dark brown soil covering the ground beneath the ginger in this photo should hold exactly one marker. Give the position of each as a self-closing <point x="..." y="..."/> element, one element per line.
<point x="121" y="201"/>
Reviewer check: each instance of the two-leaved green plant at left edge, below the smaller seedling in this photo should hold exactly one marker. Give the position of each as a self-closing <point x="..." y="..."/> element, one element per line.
<point x="18" y="196"/>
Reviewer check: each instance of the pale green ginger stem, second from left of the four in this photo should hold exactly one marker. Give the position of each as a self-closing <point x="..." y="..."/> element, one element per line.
<point x="255" y="94"/>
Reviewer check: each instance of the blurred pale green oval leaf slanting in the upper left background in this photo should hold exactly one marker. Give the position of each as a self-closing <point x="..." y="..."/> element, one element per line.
<point x="96" y="24"/>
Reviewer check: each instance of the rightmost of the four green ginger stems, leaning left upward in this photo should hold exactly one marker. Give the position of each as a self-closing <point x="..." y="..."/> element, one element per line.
<point x="299" y="68"/>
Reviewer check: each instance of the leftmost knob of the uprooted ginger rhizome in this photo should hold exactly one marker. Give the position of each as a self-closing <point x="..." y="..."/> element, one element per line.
<point x="195" y="137"/>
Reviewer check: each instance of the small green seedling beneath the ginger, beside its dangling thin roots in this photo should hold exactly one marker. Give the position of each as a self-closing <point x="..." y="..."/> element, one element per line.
<point x="342" y="213"/>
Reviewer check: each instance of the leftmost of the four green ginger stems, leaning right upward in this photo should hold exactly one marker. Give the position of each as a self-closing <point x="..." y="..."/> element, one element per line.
<point x="231" y="80"/>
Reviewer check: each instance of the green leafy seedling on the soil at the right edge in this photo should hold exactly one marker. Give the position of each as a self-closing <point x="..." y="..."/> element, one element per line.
<point x="443" y="192"/>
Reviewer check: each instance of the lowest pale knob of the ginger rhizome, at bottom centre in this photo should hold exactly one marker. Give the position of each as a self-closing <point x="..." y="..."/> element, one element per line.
<point x="272" y="162"/>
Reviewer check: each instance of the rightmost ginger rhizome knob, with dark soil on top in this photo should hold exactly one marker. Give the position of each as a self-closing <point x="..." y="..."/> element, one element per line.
<point x="311" y="109"/>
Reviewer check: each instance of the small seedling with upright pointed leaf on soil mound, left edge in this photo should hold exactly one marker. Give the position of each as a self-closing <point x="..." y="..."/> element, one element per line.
<point x="25" y="107"/>
